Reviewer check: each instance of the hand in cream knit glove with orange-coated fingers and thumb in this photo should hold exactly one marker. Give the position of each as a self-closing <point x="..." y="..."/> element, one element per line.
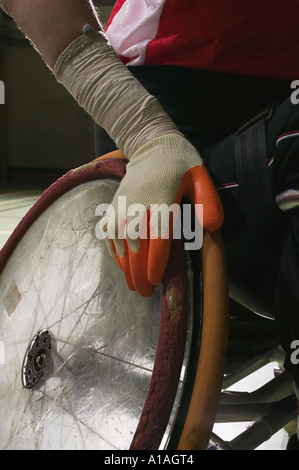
<point x="162" y="171"/>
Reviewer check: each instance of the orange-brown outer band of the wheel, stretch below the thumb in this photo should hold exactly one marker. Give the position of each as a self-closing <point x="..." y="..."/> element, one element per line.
<point x="210" y="368"/>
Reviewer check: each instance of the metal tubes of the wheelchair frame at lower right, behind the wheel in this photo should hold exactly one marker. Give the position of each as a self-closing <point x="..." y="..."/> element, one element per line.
<point x="268" y="409"/>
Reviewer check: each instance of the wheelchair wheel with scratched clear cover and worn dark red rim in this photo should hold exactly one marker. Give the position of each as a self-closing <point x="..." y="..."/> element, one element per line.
<point x="86" y="363"/>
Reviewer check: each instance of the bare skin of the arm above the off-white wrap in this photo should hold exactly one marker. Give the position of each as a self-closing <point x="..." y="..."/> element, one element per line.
<point x="51" y="25"/>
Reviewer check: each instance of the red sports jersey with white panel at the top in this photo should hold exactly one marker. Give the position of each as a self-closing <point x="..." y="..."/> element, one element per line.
<point x="255" y="37"/>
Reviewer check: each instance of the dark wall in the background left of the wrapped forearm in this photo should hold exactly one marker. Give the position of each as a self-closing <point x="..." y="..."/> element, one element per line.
<point x="44" y="128"/>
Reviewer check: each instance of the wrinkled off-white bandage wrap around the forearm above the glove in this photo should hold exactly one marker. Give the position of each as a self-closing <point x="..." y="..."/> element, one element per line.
<point x="98" y="80"/>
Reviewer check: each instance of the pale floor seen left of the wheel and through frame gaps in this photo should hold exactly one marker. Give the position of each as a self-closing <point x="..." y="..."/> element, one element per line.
<point x="13" y="206"/>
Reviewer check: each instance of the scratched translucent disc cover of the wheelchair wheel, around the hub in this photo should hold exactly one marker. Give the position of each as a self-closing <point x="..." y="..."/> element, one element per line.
<point x="98" y="356"/>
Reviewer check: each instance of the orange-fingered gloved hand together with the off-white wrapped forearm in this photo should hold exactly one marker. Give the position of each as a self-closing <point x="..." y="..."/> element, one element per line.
<point x="163" y="166"/>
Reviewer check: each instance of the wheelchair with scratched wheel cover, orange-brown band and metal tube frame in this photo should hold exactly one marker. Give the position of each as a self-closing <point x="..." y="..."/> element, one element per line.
<point x="87" y="364"/>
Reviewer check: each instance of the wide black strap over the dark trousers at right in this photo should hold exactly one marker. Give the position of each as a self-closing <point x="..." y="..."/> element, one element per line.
<point x="255" y="188"/>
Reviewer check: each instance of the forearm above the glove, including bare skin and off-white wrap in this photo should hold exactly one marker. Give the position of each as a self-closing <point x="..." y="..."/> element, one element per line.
<point x="90" y="69"/>
